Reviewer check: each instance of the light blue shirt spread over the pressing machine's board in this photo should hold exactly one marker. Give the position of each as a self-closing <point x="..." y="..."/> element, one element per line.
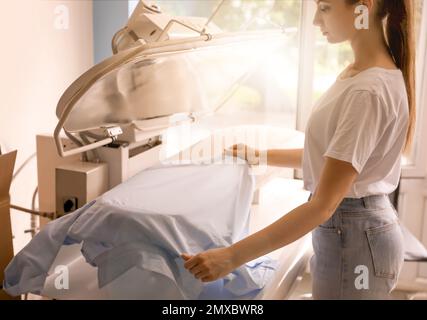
<point x="147" y="222"/>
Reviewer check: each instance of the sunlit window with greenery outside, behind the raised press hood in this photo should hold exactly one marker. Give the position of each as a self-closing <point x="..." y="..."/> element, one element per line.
<point x="272" y="86"/>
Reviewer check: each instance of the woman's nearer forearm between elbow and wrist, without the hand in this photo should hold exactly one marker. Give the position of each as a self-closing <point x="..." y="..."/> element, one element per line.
<point x="286" y="230"/>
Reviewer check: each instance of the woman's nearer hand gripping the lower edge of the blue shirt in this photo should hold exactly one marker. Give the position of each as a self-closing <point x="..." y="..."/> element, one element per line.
<point x="210" y="265"/>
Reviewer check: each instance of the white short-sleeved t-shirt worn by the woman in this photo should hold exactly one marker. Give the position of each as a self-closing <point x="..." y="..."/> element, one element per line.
<point x="362" y="120"/>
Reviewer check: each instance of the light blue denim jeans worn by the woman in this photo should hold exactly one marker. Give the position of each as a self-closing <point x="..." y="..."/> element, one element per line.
<point x="358" y="252"/>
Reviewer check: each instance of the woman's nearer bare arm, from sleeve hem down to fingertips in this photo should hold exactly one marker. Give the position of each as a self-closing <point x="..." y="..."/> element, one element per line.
<point x="336" y="179"/>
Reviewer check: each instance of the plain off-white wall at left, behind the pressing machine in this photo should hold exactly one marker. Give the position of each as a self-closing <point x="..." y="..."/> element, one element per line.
<point x="39" y="58"/>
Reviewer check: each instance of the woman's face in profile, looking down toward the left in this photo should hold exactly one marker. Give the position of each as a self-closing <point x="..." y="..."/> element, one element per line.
<point x="336" y="19"/>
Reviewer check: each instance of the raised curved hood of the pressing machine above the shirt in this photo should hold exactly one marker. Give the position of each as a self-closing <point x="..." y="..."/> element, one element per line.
<point x="146" y="81"/>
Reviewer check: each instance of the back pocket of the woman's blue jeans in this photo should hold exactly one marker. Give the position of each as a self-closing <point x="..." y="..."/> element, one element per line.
<point x="386" y="246"/>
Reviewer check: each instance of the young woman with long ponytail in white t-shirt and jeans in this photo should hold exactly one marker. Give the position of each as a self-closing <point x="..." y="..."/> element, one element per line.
<point x="351" y="161"/>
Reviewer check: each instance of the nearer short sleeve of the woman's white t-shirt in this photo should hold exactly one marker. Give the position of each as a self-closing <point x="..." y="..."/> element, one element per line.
<point x="362" y="121"/>
